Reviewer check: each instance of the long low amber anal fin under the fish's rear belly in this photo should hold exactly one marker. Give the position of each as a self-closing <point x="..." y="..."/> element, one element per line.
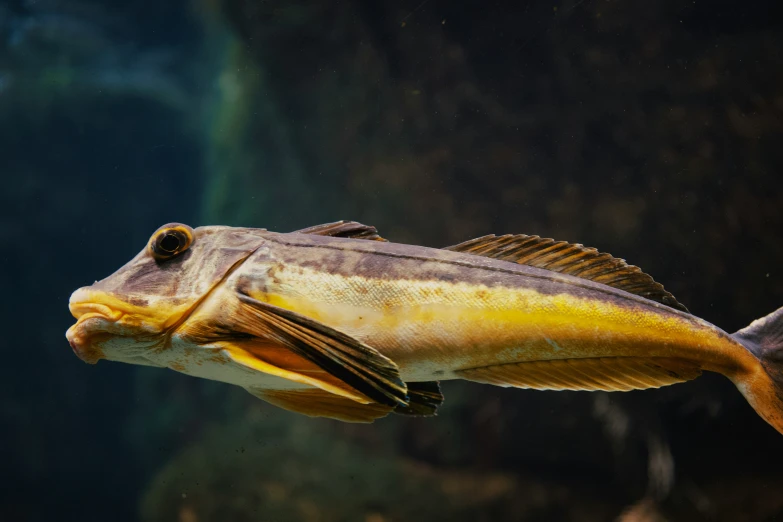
<point x="600" y="373"/>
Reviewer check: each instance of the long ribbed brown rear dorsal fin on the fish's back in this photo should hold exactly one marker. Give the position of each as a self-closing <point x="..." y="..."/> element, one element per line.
<point x="572" y="259"/>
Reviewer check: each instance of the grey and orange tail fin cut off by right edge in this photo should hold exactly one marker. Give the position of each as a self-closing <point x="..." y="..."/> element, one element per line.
<point x="764" y="390"/>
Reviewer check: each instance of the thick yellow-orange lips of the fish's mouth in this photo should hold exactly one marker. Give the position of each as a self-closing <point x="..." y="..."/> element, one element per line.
<point x="94" y="322"/>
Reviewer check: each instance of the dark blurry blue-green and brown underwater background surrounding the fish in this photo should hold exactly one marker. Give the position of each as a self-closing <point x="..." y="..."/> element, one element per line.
<point x="651" y="130"/>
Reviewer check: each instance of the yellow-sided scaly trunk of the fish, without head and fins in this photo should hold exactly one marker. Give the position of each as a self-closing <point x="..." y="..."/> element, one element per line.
<point x="437" y="312"/>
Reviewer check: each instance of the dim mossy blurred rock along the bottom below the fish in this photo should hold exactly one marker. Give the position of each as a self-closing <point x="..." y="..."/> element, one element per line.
<point x="272" y="466"/>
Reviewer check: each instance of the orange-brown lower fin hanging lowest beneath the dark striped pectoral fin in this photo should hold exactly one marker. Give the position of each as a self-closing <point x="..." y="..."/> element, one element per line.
<point x="315" y="402"/>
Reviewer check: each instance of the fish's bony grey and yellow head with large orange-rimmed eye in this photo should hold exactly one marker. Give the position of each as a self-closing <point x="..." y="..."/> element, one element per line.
<point x="133" y="311"/>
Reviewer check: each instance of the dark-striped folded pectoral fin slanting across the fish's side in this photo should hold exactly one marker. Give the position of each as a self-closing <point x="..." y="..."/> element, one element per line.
<point x="354" y="364"/>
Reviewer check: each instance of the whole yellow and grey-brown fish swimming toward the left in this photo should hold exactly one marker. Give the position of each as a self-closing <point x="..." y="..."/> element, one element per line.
<point x="336" y="321"/>
